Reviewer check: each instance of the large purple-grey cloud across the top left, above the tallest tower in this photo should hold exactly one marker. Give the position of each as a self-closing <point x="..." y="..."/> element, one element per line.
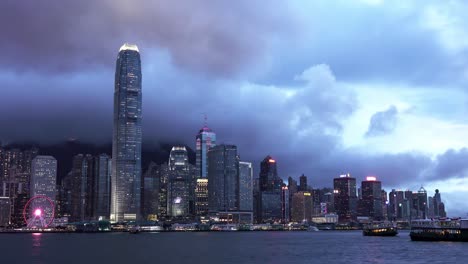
<point x="219" y="37"/>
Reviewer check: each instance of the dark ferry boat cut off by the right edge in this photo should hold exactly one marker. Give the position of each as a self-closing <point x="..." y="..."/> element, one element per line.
<point x="444" y="229"/>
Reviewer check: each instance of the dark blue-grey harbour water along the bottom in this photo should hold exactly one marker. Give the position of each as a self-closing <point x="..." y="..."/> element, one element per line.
<point x="226" y="247"/>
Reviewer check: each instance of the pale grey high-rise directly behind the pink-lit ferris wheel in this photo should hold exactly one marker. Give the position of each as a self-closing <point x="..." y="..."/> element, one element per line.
<point x="44" y="177"/>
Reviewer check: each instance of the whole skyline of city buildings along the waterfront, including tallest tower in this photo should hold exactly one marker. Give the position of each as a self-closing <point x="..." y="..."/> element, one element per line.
<point x="220" y="187"/>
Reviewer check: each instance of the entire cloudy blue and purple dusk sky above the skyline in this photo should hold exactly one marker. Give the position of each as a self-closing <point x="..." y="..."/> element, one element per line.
<point x="369" y="87"/>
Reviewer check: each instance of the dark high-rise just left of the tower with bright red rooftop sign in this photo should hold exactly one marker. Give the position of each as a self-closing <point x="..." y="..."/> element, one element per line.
<point x="345" y="198"/>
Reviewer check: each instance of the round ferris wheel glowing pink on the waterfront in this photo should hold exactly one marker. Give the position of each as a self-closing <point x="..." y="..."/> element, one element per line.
<point x="39" y="212"/>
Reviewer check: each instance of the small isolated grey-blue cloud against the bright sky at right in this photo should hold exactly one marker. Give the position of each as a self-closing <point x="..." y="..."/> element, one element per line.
<point x="383" y="123"/>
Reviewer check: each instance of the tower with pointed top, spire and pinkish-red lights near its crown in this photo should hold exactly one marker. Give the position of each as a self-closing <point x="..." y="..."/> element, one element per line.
<point x="205" y="140"/>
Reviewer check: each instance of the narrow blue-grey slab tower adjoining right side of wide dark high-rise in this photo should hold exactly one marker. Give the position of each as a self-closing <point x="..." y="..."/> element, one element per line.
<point x="245" y="186"/>
